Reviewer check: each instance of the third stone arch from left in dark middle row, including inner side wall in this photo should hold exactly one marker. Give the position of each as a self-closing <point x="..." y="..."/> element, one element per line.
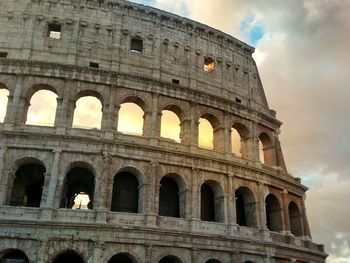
<point x="133" y="180"/>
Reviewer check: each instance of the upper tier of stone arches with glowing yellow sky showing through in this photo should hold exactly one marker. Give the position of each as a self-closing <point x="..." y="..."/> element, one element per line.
<point x="143" y="114"/>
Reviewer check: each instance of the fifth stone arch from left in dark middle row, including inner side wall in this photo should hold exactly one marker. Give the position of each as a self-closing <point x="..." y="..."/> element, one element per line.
<point x="212" y="201"/>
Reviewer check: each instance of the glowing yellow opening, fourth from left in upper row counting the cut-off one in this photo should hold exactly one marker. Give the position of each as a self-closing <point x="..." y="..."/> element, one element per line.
<point x="130" y="119"/>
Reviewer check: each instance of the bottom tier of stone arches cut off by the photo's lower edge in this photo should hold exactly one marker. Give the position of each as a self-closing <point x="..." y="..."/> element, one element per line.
<point x="55" y="243"/>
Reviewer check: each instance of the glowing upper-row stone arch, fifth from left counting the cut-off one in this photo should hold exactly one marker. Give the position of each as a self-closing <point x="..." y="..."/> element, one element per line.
<point x="179" y="126"/>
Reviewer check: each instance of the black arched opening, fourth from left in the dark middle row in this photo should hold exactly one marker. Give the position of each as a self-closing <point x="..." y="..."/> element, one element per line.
<point x="169" y="198"/>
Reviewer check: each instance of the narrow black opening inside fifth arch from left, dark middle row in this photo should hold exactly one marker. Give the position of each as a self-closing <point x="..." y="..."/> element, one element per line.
<point x="207" y="203"/>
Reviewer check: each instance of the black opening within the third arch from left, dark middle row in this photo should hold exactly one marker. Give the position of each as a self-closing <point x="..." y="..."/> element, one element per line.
<point x="125" y="195"/>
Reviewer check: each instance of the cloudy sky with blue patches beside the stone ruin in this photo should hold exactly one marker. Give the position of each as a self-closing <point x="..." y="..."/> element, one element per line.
<point x="303" y="54"/>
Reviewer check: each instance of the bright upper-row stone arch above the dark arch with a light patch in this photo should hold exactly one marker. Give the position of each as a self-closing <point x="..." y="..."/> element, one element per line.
<point x="81" y="116"/>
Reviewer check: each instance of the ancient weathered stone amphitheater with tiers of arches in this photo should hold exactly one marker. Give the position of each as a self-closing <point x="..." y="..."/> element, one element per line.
<point x="152" y="199"/>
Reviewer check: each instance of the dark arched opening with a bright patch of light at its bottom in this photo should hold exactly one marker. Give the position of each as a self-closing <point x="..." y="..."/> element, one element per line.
<point x="78" y="189"/>
